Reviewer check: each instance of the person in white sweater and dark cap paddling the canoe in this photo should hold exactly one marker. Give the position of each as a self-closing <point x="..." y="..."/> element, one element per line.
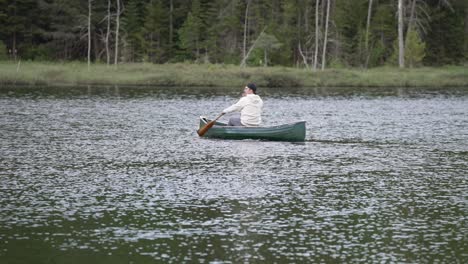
<point x="250" y="106"/>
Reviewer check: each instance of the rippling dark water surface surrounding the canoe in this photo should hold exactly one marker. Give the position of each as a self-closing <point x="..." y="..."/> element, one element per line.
<point x="118" y="175"/>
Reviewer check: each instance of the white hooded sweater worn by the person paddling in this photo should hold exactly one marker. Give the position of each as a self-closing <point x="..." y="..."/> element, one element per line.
<point x="250" y="107"/>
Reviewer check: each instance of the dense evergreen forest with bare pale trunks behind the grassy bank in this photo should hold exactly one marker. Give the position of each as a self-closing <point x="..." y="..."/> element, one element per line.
<point x="313" y="34"/>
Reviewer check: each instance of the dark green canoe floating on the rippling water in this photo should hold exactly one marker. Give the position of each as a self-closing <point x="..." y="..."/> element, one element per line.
<point x="287" y="132"/>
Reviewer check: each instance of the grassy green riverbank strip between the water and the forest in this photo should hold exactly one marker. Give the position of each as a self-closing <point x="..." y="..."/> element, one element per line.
<point x="74" y="73"/>
